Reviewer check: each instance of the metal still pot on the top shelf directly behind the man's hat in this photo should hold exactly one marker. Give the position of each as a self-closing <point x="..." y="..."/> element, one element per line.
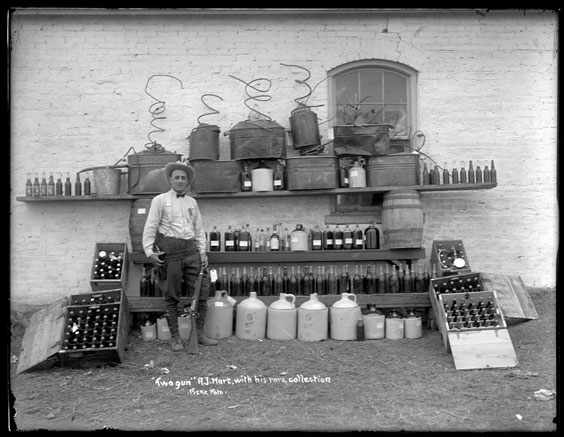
<point x="146" y="171"/>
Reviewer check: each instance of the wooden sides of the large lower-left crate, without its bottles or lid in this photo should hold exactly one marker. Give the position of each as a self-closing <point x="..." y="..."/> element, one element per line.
<point x="99" y="356"/>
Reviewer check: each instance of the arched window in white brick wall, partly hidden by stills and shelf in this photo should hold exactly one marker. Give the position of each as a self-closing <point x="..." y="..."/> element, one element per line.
<point x="384" y="92"/>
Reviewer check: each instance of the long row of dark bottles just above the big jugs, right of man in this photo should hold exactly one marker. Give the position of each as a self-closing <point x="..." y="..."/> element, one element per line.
<point x="322" y="280"/>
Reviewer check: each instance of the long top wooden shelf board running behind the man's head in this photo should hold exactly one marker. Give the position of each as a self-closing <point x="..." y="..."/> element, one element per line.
<point x="264" y="194"/>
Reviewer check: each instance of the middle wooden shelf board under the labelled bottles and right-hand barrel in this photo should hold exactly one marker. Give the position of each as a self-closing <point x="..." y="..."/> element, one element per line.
<point x="315" y="256"/>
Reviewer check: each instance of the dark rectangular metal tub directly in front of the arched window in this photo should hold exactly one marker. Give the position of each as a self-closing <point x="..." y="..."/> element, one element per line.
<point x="363" y="140"/>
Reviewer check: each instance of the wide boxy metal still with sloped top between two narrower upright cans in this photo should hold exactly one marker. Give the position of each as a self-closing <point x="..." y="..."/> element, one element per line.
<point x="257" y="139"/>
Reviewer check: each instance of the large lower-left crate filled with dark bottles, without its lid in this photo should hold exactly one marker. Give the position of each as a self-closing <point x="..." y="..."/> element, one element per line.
<point x="95" y="334"/>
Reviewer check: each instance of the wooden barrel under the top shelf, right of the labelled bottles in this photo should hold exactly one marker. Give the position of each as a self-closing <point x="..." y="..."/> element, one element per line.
<point x="402" y="219"/>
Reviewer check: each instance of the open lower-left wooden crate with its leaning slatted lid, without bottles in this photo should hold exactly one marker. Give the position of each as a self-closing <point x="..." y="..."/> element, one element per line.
<point x="43" y="345"/>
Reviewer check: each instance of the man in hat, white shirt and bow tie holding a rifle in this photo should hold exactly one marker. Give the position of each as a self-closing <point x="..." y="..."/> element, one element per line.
<point x="175" y="241"/>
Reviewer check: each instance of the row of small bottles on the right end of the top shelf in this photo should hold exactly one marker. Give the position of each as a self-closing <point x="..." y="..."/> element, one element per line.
<point x="482" y="174"/>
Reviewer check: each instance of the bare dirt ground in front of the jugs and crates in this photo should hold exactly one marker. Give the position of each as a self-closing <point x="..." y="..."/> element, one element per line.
<point x="376" y="385"/>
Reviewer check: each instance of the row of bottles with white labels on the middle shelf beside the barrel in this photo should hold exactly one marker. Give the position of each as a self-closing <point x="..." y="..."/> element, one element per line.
<point x="280" y="239"/>
